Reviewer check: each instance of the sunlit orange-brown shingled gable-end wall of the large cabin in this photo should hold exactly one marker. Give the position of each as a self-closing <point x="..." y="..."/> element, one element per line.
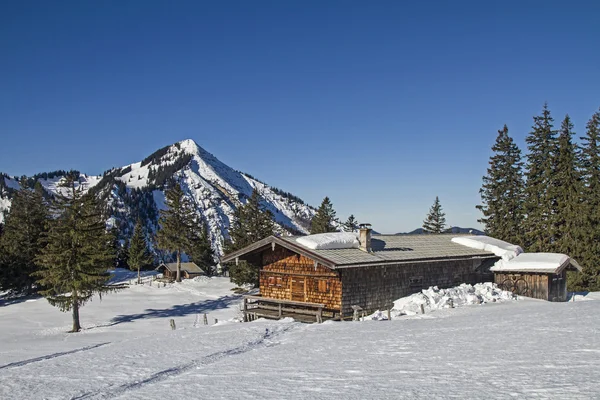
<point x="290" y="276"/>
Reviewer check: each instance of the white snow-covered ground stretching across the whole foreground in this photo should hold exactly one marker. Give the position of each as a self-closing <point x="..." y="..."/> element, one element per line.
<point x="497" y="350"/>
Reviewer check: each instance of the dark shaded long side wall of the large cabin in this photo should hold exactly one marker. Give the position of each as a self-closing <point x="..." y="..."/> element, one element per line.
<point x="375" y="288"/>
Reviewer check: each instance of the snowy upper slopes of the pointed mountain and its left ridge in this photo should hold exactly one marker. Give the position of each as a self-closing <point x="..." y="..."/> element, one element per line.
<point x="215" y="189"/>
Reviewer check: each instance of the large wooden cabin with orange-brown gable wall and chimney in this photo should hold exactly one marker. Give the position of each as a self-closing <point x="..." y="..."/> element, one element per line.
<point x="334" y="281"/>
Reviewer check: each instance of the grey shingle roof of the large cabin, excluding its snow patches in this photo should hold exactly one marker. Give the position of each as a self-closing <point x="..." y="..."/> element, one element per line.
<point x="386" y="249"/>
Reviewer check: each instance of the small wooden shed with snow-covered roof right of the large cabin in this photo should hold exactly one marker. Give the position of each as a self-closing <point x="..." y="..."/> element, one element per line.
<point x="538" y="275"/>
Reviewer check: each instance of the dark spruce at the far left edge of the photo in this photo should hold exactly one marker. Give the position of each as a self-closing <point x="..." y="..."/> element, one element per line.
<point x="20" y="244"/>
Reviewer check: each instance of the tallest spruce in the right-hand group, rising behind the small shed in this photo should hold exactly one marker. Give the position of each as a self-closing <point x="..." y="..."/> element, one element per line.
<point x="539" y="204"/>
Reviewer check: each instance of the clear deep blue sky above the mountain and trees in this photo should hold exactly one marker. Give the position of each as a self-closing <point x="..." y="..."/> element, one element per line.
<point x="379" y="105"/>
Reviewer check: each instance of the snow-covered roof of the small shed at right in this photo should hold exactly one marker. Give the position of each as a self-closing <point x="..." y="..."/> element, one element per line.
<point x="551" y="263"/>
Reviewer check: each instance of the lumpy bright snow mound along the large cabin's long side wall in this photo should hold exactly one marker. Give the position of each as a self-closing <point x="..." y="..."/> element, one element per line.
<point x="434" y="299"/>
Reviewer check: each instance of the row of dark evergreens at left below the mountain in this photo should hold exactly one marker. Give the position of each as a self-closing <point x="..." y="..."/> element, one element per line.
<point x="61" y="247"/>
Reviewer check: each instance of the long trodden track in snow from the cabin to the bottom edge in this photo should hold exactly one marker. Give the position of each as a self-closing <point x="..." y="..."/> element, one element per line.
<point x="264" y="341"/>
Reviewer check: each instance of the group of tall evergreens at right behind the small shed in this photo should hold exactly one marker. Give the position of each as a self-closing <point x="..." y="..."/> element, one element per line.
<point x="550" y="203"/>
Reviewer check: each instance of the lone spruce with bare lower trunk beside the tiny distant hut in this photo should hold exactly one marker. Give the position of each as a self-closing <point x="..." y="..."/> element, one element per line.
<point x="176" y="224"/>
